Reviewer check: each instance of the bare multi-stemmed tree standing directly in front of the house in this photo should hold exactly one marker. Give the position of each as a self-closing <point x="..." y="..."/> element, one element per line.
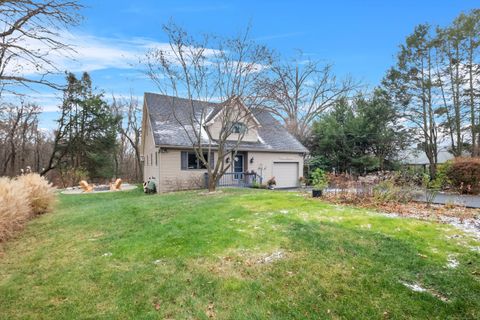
<point x="211" y="69"/>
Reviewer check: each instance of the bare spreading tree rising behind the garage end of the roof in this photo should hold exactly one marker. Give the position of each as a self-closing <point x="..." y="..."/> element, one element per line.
<point x="301" y="90"/>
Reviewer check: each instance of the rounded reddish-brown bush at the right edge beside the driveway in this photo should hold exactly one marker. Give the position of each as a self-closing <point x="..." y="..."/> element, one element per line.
<point x="464" y="175"/>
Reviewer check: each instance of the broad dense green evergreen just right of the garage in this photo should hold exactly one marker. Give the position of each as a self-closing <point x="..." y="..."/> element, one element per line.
<point x="359" y="135"/>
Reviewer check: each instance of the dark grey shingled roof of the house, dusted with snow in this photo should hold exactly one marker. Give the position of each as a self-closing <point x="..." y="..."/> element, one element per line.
<point x="168" y="132"/>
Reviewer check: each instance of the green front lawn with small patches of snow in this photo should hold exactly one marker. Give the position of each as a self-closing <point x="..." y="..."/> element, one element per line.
<point x="189" y="255"/>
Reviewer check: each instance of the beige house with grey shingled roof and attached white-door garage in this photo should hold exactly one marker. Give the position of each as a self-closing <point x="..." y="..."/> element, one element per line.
<point x="266" y="147"/>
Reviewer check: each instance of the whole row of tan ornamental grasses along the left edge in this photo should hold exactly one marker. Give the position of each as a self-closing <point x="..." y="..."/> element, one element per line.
<point x="21" y="199"/>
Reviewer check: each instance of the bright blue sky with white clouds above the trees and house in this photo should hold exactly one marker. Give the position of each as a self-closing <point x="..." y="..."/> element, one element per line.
<point x="360" y="38"/>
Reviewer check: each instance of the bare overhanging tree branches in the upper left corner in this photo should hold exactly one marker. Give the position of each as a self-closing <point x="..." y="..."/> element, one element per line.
<point x="30" y="34"/>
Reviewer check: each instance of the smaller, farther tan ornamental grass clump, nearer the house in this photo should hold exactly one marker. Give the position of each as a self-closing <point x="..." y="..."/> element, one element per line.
<point x="41" y="194"/>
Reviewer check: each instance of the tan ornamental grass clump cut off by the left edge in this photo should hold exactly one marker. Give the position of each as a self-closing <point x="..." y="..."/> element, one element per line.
<point x="14" y="207"/>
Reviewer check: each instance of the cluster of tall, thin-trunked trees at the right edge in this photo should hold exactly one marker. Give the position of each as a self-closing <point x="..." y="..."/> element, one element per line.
<point x="436" y="81"/>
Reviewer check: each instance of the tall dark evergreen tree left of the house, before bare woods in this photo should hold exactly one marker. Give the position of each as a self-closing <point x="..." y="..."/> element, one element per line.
<point x="85" y="138"/>
